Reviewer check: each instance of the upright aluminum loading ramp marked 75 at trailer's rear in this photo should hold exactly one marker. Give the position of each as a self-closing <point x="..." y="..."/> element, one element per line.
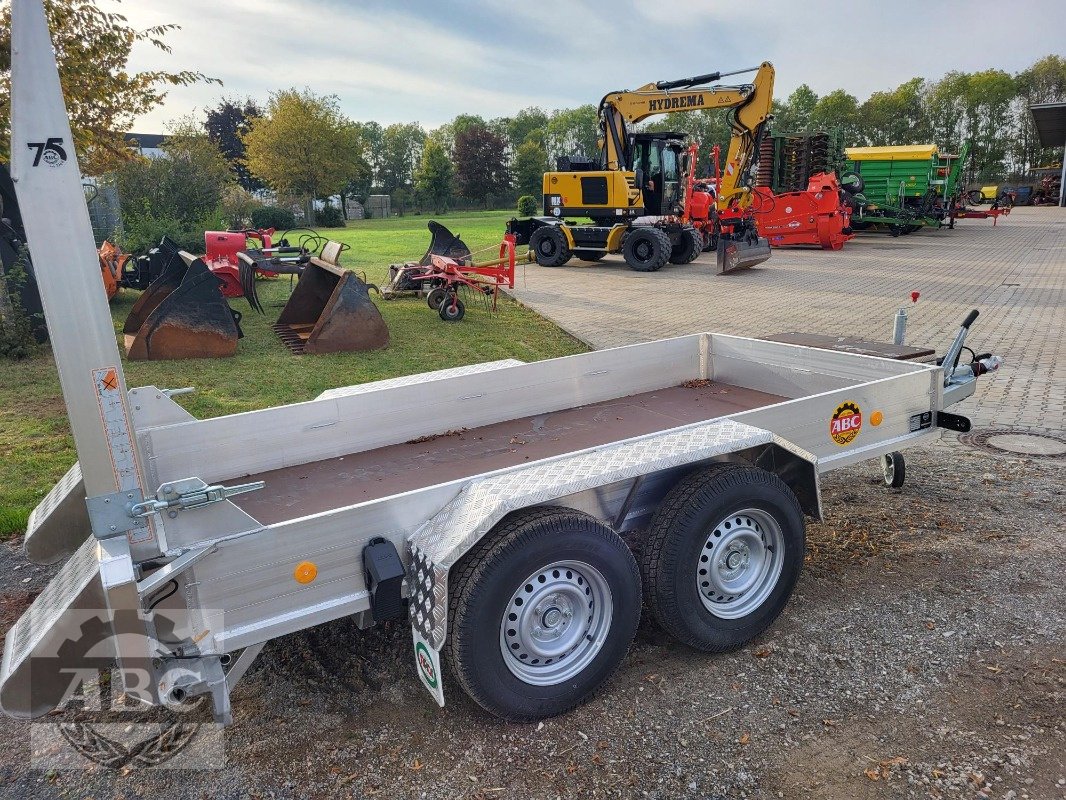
<point x="49" y="185"/>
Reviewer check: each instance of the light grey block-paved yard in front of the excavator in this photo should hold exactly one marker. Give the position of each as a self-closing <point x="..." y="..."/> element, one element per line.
<point x="1014" y="274"/>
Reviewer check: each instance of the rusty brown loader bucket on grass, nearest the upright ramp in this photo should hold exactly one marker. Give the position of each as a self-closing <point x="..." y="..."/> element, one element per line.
<point x="183" y="315"/>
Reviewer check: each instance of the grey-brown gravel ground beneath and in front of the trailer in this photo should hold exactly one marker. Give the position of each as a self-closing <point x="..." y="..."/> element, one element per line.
<point x="923" y="657"/>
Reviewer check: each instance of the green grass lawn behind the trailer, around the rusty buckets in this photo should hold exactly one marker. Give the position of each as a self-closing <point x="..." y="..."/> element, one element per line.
<point x="36" y="443"/>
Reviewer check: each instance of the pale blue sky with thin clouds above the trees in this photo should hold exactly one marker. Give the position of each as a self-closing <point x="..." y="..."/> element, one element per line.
<point x="427" y="61"/>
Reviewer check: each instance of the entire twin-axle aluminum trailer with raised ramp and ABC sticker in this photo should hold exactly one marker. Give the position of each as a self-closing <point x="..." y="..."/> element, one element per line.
<point x="499" y="501"/>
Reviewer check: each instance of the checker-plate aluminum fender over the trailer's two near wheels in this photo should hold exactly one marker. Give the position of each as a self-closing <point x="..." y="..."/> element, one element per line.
<point x="441" y="542"/>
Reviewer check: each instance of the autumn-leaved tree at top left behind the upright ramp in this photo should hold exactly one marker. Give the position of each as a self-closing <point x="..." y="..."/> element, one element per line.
<point x="104" y="99"/>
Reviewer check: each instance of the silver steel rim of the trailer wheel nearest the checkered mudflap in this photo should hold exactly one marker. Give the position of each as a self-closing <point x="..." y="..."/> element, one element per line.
<point x="556" y="623"/>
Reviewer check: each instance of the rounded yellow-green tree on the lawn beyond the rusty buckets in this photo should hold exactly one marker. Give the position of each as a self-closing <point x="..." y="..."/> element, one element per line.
<point x="304" y="146"/>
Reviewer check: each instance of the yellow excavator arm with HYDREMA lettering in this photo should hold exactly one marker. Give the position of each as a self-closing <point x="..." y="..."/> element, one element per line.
<point x="751" y="105"/>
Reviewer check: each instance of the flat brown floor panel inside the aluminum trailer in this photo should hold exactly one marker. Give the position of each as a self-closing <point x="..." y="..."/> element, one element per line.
<point x="324" y="486"/>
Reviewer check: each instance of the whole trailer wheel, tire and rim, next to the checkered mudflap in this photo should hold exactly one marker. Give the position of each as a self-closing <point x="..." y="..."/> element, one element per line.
<point x="546" y="555"/>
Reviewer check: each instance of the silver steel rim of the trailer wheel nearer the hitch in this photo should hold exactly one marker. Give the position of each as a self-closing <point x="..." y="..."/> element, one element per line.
<point x="740" y="564"/>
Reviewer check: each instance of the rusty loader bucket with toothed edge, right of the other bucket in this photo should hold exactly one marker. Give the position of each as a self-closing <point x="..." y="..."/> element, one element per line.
<point x="331" y="312"/>
